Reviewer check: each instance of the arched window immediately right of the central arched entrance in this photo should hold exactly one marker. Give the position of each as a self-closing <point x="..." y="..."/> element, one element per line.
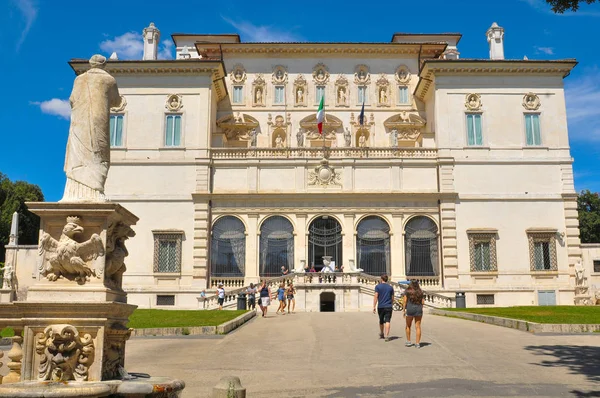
<point x="373" y="246"/>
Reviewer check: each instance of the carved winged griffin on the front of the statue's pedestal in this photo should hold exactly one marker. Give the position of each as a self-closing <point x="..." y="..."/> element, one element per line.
<point x="67" y="257"/>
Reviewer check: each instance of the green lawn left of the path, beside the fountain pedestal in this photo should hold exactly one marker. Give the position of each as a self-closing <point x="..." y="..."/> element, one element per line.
<point x="142" y="319"/>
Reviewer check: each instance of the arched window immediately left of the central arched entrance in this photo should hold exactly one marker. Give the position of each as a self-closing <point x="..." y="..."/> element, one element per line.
<point x="276" y="246"/>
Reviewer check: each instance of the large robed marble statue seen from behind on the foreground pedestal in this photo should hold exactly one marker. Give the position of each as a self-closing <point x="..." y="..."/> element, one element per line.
<point x="88" y="148"/>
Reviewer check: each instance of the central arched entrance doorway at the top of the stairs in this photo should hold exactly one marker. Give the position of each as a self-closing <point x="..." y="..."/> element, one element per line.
<point x="324" y="240"/>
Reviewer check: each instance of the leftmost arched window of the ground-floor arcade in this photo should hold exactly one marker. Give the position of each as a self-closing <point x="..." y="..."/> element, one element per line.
<point x="228" y="247"/>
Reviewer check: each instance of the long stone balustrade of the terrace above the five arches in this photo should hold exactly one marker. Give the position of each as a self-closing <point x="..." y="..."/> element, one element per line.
<point x="332" y="153"/>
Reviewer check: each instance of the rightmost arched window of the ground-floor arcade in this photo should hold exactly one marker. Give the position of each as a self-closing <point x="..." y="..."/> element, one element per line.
<point x="421" y="246"/>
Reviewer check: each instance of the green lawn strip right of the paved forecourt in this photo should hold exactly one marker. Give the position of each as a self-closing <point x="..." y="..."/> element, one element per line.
<point x="545" y="314"/>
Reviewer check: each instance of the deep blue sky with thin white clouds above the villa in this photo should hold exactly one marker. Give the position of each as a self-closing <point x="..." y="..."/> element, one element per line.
<point x="39" y="37"/>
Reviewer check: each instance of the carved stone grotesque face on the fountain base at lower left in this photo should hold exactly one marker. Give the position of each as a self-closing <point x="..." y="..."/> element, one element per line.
<point x="64" y="354"/>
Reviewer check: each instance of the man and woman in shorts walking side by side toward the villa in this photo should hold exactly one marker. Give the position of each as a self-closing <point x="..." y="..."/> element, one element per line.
<point x="413" y="301"/>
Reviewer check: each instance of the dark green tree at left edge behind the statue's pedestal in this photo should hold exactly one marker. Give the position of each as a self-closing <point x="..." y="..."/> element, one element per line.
<point x="13" y="196"/>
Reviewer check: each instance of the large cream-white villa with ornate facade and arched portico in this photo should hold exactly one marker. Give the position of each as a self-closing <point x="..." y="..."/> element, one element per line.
<point x="460" y="174"/>
